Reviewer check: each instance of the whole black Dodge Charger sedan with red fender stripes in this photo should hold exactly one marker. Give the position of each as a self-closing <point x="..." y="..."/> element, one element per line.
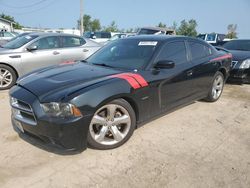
<point x="99" y="102"/>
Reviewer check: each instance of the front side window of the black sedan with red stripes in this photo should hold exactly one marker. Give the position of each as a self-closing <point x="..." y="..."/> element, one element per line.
<point x="175" y="51"/>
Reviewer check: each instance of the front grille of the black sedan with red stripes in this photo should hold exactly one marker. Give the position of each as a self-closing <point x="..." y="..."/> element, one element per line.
<point x="22" y="112"/>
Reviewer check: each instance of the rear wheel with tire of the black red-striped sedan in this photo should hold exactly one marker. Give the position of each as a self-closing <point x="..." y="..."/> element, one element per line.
<point x="216" y="88"/>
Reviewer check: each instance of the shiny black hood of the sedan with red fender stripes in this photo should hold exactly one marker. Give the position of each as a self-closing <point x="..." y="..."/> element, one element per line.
<point x="58" y="82"/>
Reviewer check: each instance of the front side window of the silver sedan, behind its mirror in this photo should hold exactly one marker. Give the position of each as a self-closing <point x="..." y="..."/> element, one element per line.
<point x="47" y="43"/>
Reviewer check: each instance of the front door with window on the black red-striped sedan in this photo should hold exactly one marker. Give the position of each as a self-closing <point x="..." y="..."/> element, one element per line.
<point x="175" y="86"/>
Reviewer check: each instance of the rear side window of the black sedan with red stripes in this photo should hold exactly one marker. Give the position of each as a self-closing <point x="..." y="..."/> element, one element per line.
<point x="199" y="50"/>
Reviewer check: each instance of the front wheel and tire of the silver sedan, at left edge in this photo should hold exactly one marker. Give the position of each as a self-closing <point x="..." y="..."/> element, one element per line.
<point x="8" y="77"/>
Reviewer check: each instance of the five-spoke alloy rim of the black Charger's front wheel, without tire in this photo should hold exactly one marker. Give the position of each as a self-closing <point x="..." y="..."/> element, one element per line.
<point x="110" y="124"/>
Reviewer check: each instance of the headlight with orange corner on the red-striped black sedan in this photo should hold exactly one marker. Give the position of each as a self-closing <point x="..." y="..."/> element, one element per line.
<point x="62" y="110"/>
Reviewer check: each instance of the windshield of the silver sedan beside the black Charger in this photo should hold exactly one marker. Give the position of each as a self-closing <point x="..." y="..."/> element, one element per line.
<point x="20" y="41"/>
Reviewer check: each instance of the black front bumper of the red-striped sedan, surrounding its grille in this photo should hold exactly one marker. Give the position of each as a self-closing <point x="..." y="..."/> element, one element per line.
<point x="64" y="134"/>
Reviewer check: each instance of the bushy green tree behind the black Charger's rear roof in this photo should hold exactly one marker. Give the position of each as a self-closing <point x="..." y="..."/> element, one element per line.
<point x="187" y="28"/>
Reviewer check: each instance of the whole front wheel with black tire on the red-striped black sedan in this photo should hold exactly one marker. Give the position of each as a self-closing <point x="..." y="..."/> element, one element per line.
<point x="112" y="125"/>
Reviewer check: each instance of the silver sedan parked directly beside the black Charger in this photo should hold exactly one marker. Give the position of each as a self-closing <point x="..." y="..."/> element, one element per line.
<point x="38" y="50"/>
